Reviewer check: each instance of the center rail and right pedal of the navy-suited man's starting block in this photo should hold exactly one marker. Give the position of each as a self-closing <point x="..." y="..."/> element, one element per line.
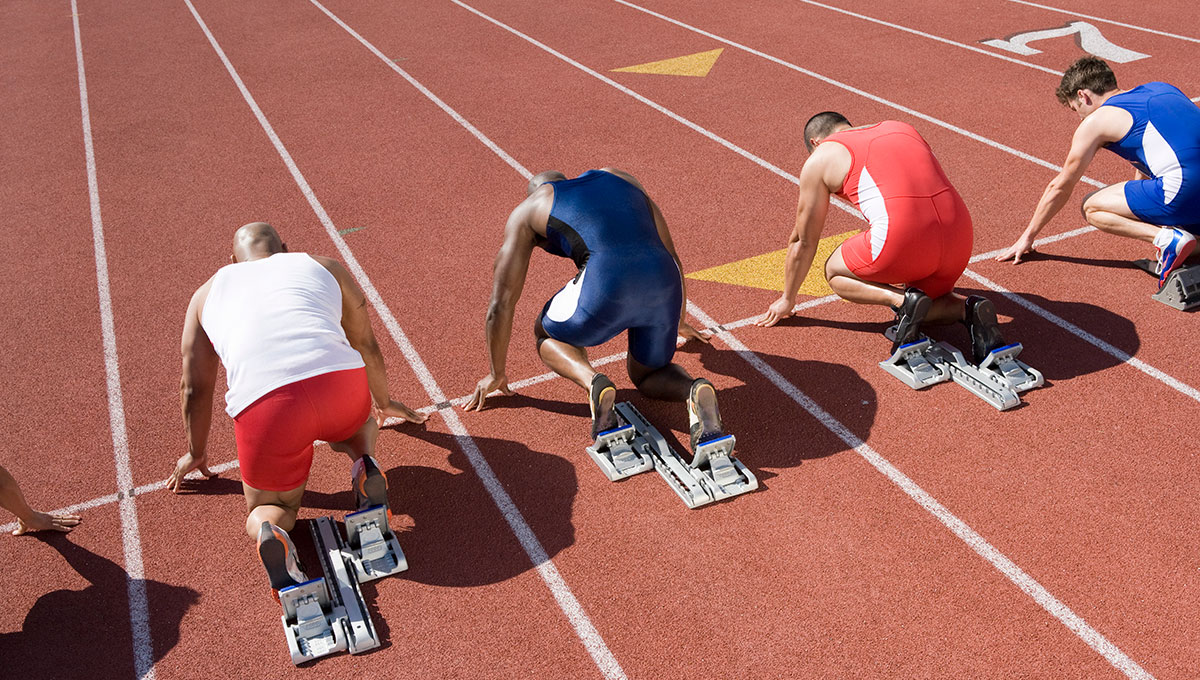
<point x="715" y="474"/>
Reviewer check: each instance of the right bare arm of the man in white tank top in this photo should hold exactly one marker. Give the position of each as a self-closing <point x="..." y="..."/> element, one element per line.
<point x="357" y="324"/>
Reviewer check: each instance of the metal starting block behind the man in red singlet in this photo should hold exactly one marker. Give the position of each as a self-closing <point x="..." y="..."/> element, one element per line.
<point x="998" y="381"/>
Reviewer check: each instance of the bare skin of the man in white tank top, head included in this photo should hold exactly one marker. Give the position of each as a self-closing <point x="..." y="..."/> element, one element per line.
<point x="200" y="374"/>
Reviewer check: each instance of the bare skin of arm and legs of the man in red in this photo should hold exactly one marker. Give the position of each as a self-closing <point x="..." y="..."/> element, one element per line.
<point x="824" y="176"/>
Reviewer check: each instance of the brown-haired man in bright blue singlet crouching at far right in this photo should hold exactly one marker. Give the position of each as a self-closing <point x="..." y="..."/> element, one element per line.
<point x="1154" y="127"/>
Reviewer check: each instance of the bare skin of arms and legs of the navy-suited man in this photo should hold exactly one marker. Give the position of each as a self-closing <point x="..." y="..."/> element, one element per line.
<point x="526" y="228"/>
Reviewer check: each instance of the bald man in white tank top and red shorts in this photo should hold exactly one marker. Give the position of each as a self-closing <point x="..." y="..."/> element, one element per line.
<point x="302" y="364"/>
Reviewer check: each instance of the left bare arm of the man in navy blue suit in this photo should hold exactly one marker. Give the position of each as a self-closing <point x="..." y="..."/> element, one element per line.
<point x="508" y="281"/>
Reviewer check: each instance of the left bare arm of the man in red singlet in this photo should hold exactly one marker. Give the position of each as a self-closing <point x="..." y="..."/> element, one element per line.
<point x="812" y="209"/>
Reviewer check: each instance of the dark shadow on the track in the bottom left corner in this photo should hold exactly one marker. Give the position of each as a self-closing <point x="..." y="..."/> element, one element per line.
<point x="86" y="634"/>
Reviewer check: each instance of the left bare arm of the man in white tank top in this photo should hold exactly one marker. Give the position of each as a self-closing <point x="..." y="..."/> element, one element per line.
<point x="196" y="388"/>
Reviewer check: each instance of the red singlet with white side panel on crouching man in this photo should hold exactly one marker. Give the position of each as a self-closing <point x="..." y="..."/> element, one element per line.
<point x="921" y="231"/>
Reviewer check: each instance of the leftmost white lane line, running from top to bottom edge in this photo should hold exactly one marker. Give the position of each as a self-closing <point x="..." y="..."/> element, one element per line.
<point x="131" y="539"/>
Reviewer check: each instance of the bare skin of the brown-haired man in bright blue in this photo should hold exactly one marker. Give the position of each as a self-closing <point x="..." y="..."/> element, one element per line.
<point x="1106" y="209"/>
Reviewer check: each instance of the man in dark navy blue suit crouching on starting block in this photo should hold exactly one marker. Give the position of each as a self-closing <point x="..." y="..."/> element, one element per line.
<point x="628" y="279"/>
